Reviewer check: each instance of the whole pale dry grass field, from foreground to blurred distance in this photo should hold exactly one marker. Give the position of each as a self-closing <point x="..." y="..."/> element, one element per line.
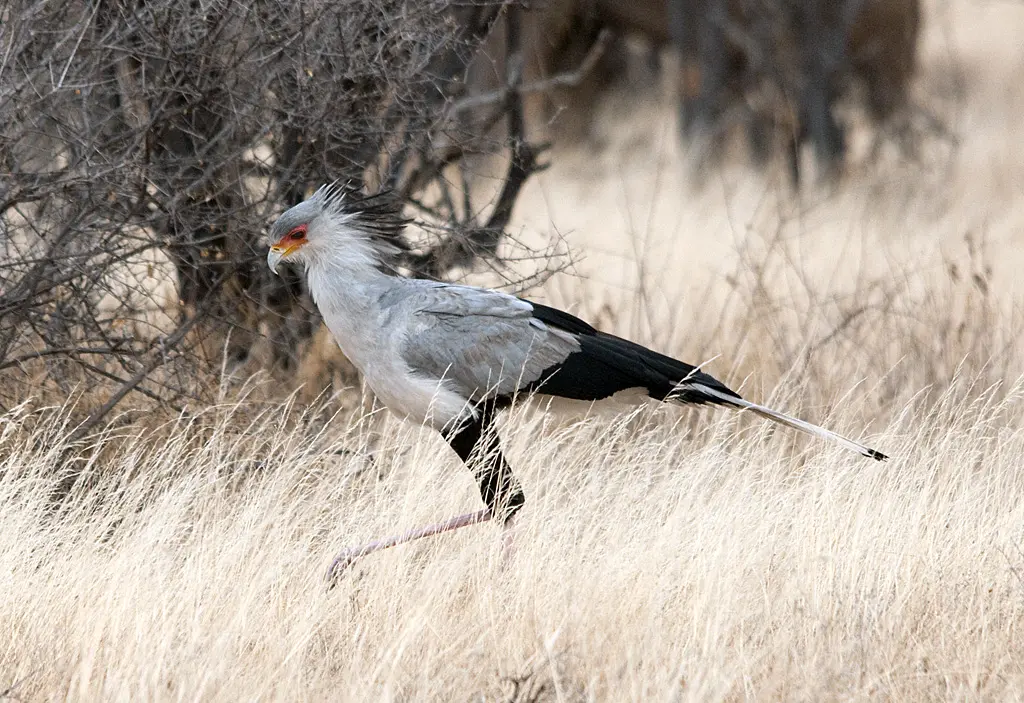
<point x="664" y="554"/>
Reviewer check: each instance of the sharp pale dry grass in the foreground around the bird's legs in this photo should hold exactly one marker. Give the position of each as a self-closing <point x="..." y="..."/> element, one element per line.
<point x="652" y="563"/>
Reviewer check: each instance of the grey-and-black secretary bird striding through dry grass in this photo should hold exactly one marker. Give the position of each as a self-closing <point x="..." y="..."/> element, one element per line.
<point x="452" y="357"/>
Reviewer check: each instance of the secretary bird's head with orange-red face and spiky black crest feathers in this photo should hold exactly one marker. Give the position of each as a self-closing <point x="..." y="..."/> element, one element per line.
<point x="338" y="227"/>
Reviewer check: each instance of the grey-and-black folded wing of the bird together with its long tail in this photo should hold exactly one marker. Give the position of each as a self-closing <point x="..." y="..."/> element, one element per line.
<point x="489" y="345"/>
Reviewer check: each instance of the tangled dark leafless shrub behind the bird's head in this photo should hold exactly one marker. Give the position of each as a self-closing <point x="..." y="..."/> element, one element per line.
<point x="147" y="145"/>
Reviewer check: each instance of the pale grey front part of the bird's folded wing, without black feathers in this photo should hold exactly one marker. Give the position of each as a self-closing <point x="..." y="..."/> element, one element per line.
<point x="485" y="343"/>
